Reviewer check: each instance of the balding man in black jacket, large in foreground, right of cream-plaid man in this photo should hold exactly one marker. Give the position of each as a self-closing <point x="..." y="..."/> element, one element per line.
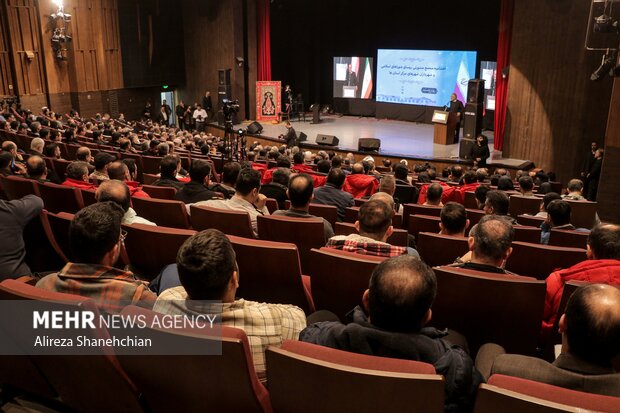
<point x="391" y="322"/>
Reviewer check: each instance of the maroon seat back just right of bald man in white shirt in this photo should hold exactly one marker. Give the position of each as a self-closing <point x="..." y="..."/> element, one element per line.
<point x="163" y="212"/>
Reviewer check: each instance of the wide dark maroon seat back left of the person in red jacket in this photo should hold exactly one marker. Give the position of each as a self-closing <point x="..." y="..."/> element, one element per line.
<point x="490" y="308"/>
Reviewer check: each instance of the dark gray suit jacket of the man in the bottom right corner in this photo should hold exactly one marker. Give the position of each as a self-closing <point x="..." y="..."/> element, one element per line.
<point x="566" y="371"/>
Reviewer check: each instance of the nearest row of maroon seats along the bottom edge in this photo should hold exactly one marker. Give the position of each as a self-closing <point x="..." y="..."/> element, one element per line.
<point x="302" y="377"/>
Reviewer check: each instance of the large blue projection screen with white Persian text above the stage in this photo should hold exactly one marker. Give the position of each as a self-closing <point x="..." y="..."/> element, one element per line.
<point x="423" y="77"/>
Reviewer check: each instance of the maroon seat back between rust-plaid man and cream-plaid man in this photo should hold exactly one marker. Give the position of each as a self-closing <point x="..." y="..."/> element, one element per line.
<point x="150" y="248"/>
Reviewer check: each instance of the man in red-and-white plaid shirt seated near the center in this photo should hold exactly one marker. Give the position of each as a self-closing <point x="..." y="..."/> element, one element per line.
<point x="374" y="227"/>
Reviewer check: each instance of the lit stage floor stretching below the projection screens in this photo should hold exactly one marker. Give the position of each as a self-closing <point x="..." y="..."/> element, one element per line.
<point x="398" y="138"/>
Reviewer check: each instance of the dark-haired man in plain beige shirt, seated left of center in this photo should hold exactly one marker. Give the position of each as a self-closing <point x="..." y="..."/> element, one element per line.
<point x="246" y="198"/>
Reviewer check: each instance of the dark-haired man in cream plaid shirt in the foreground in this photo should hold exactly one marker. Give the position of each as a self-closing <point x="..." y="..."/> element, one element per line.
<point x="208" y="271"/>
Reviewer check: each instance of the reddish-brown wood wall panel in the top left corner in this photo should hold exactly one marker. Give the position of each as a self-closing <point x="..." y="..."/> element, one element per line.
<point x="25" y="35"/>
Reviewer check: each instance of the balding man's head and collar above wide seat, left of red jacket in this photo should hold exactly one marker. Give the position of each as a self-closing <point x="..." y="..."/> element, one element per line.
<point x="490" y="245"/>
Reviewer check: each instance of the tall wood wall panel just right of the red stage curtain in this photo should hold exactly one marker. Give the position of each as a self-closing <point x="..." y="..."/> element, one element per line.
<point x="554" y="110"/>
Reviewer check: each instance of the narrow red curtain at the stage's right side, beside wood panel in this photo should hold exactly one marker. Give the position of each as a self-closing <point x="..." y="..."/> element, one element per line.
<point x="503" y="62"/>
